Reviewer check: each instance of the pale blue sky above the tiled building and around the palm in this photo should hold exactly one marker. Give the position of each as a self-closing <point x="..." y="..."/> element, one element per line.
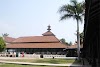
<point x="31" y="17"/>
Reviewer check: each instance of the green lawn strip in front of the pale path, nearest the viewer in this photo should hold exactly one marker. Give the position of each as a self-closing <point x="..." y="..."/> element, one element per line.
<point x="15" y="65"/>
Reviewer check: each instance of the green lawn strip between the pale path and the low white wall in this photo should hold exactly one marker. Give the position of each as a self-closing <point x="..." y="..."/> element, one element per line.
<point x="54" y="61"/>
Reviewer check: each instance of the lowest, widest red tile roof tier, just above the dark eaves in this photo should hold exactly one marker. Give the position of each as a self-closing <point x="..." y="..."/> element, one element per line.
<point x="36" y="45"/>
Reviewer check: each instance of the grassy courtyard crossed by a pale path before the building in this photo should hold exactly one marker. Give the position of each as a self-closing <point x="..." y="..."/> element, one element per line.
<point x="30" y="62"/>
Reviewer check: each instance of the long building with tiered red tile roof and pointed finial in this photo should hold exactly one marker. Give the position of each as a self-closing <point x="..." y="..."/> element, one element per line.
<point x="45" y="44"/>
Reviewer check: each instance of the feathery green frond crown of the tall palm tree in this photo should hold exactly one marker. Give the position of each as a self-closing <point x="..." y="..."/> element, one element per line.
<point x="74" y="10"/>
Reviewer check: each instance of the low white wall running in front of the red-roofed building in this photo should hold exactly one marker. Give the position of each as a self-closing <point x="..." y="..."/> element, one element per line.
<point x="37" y="56"/>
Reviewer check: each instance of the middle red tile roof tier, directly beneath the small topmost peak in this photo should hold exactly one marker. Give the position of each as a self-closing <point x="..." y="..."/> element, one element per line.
<point x="37" y="39"/>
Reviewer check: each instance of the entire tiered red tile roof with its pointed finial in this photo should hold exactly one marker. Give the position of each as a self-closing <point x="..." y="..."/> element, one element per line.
<point x="48" y="40"/>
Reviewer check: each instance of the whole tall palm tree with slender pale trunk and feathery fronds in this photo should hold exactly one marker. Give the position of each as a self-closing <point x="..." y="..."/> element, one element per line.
<point x="74" y="10"/>
